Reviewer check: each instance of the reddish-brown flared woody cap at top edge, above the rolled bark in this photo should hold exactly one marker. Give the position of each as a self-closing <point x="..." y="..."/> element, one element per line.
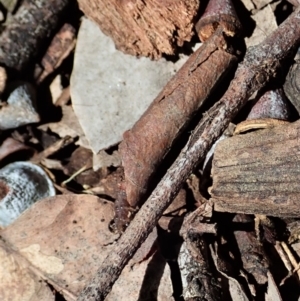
<point x="218" y="13"/>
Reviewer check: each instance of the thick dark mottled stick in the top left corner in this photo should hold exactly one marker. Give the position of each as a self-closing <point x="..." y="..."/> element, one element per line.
<point x="32" y="24"/>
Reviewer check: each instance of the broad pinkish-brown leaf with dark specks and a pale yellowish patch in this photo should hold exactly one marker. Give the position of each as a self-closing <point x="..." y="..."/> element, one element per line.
<point x="64" y="238"/>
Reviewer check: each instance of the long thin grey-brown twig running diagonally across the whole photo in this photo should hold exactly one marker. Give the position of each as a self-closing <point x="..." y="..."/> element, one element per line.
<point x="260" y="64"/>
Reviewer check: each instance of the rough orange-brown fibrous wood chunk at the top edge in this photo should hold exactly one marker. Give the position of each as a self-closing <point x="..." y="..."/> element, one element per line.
<point x="147" y="28"/>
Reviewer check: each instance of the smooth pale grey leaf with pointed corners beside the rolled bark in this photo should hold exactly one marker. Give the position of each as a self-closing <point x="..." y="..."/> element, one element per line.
<point x="111" y="90"/>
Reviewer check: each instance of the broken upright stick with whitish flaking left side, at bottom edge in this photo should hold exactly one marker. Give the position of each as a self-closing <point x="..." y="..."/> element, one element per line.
<point x="197" y="275"/>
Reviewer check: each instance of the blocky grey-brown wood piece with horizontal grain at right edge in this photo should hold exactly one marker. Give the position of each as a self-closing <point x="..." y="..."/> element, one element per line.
<point x="259" y="172"/>
